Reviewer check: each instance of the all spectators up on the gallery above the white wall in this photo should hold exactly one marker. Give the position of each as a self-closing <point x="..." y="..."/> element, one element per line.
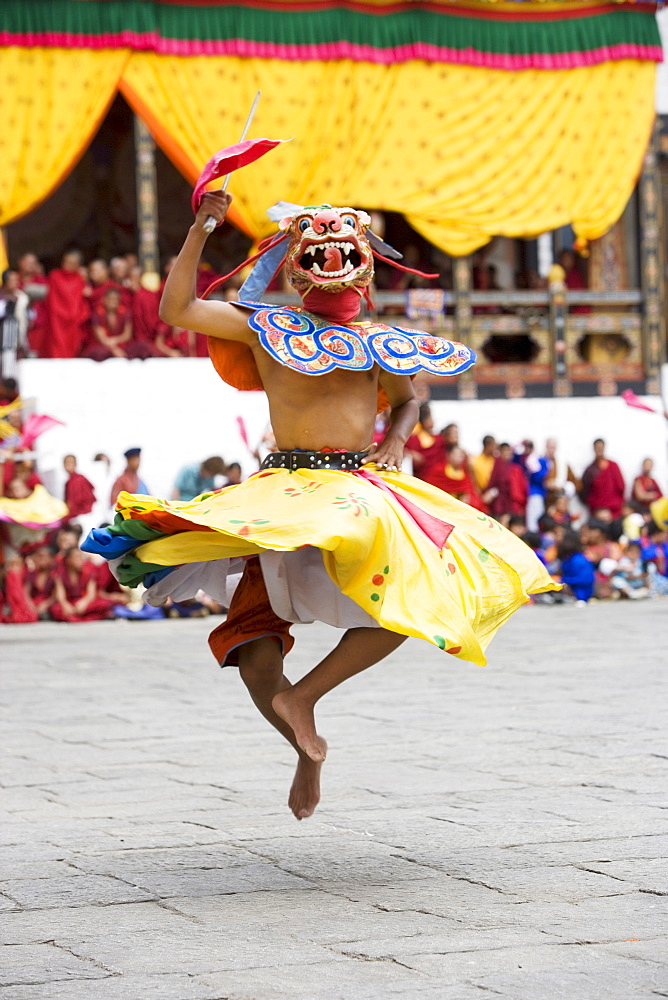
<point x="109" y="309"/>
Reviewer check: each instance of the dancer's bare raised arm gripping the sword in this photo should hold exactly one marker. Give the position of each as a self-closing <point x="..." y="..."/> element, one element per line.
<point x="179" y="305"/>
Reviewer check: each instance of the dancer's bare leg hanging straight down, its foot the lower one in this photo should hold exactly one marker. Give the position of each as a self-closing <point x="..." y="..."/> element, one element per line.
<point x="261" y="669"/>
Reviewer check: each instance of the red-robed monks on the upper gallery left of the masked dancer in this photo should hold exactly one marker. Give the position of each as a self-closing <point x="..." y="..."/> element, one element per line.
<point x="99" y="311"/>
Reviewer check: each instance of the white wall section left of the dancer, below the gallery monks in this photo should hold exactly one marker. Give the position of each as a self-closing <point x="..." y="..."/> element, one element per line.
<point x="177" y="411"/>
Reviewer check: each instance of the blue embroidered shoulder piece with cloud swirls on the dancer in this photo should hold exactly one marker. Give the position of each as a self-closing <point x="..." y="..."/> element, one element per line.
<point x="312" y="346"/>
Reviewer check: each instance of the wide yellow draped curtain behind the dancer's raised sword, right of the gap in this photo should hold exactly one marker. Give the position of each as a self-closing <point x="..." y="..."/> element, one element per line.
<point x="464" y="153"/>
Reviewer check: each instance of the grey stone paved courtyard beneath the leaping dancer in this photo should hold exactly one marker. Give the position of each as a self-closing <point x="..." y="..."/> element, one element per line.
<point x="483" y="833"/>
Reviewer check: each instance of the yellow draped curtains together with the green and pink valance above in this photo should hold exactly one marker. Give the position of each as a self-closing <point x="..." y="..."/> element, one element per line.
<point x="473" y="119"/>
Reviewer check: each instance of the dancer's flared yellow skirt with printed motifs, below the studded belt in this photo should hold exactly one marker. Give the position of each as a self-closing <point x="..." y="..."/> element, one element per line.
<point x="414" y="559"/>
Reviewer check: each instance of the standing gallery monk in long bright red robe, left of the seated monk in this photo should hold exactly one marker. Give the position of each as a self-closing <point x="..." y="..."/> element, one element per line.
<point x="67" y="308"/>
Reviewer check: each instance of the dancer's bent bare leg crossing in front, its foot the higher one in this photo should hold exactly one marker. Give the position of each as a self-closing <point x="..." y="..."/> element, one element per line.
<point x="358" y="649"/>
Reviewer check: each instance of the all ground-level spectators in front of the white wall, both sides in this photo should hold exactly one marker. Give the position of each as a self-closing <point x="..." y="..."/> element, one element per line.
<point x="596" y="536"/>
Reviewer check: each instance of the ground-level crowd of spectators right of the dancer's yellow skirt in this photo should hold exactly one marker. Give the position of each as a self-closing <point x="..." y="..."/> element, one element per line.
<point x="596" y="535"/>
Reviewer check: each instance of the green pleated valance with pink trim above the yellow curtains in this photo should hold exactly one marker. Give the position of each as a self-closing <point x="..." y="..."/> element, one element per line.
<point x="510" y="36"/>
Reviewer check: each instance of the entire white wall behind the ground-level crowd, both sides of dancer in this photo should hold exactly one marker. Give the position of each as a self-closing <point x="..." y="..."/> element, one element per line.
<point x="179" y="411"/>
